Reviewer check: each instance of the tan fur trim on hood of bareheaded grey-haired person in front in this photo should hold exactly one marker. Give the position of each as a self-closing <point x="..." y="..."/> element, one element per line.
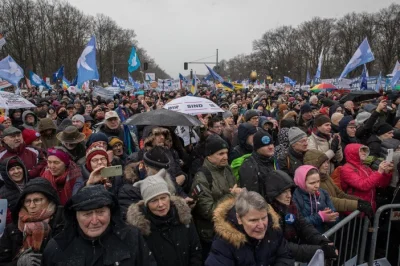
<point x="228" y="231"/>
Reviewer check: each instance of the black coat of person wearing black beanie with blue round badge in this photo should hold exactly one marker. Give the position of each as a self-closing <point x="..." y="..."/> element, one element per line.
<point x="254" y="172"/>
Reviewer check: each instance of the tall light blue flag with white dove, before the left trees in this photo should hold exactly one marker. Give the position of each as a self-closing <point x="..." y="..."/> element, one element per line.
<point x="86" y="65"/>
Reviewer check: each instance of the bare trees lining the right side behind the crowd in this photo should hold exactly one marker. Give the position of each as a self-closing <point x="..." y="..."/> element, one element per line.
<point x="292" y="51"/>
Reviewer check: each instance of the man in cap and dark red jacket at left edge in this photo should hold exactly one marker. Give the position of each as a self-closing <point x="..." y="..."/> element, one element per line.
<point x="13" y="145"/>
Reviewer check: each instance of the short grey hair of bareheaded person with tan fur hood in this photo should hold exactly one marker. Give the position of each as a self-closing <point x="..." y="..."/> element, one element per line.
<point x="247" y="200"/>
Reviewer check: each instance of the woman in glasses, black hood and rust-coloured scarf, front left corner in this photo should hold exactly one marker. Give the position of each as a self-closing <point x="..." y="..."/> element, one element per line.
<point x="37" y="217"/>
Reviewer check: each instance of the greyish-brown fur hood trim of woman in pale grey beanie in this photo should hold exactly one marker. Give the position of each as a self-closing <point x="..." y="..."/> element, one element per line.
<point x="137" y="218"/>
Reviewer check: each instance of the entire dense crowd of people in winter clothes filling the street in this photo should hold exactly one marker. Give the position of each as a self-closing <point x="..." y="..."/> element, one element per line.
<point x="256" y="185"/>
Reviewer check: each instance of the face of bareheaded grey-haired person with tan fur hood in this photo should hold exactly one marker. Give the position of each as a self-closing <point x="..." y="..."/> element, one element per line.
<point x="255" y="223"/>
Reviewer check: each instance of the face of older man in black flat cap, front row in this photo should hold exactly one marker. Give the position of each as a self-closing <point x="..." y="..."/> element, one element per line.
<point x="93" y="223"/>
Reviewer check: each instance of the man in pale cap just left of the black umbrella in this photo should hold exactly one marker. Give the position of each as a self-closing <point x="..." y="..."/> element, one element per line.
<point x="113" y="127"/>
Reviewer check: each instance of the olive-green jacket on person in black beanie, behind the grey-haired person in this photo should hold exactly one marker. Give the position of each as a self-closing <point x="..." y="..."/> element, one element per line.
<point x="222" y="180"/>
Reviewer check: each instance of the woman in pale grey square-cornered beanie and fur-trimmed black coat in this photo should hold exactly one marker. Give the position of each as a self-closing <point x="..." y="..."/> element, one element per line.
<point x="158" y="213"/>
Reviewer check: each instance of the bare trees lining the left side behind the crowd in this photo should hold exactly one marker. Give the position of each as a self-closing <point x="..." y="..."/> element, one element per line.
<point x="42" y="35"/>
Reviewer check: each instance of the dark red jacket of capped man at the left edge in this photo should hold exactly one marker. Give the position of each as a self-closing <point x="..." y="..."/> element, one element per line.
<point x="33" y="160"/>
